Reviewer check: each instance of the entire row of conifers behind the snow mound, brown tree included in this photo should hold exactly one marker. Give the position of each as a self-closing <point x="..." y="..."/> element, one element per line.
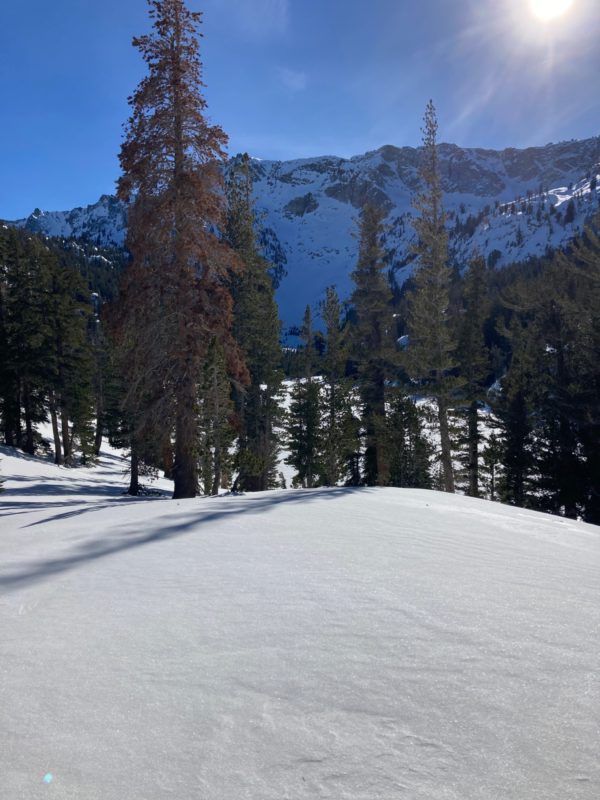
<point x="475" y="380"/>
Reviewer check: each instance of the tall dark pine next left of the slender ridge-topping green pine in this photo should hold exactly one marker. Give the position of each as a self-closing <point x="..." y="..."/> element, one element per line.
<point x="372" y="343"/>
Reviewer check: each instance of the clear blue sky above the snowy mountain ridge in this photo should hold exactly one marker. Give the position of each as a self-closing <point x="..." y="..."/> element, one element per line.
<point x="290" y="78"/>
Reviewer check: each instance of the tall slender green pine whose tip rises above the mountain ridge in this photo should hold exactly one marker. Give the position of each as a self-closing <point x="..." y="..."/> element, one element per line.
<point x="431" y="354"/>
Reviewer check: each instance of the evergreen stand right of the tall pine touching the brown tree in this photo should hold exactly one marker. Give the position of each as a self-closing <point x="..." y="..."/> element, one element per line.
<point x="486" y="381"/>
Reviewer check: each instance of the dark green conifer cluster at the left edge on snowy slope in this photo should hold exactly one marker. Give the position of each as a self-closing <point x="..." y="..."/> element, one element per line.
<point x="47" y="364"/>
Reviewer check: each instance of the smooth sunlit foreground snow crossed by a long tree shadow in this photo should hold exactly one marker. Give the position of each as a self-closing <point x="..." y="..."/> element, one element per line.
<point x="372" y="644"/>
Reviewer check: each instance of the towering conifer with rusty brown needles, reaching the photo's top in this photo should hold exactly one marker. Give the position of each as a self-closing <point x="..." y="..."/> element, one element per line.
<point x="174" y="299"/>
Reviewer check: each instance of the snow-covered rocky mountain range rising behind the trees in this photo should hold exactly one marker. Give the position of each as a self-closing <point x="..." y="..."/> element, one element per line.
<point x="509" y="205"/>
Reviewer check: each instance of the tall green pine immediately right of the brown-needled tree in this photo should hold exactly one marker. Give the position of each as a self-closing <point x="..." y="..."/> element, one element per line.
<point x="256" y="328"/>
